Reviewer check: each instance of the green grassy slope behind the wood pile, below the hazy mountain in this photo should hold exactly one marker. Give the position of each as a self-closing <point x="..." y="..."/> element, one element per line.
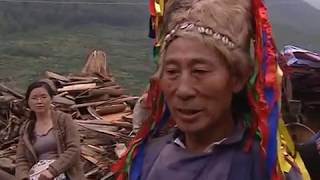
<point x="25" y="56"/>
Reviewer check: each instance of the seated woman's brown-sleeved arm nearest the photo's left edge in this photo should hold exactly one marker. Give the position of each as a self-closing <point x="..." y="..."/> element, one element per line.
<point x="22" y="164"/>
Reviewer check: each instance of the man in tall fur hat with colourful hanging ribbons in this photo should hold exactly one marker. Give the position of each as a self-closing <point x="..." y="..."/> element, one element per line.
<point x="201" y="85"/>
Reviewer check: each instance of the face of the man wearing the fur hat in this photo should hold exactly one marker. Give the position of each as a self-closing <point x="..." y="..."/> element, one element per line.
<point x="197" y="85"/>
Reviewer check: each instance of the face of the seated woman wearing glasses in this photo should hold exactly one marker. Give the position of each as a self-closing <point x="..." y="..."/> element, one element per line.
<point x="39" y="100"/>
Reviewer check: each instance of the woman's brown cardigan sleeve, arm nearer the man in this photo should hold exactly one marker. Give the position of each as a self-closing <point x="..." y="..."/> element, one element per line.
<point x="71" y="153"/>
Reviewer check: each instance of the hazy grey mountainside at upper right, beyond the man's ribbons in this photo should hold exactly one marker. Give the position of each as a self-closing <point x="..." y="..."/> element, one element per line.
<point x="295" y="22"/>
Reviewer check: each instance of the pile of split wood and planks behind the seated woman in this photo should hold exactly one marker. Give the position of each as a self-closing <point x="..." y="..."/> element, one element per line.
<point x="96" y="102"/>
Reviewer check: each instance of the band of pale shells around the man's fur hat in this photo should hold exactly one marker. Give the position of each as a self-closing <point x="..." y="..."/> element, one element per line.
<point x="188" y="27"/>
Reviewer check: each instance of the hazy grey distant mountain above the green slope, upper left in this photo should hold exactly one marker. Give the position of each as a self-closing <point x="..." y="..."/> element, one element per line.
<point x="18" y="16"/>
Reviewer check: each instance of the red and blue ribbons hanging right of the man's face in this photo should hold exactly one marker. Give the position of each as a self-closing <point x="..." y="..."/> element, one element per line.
<point x="266" y="89"/>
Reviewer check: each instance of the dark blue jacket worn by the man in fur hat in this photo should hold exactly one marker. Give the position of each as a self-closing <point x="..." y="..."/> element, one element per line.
<point x="165" y="160"/>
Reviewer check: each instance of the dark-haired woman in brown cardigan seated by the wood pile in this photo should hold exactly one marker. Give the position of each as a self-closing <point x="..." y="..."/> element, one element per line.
<point x="49" y="144"/>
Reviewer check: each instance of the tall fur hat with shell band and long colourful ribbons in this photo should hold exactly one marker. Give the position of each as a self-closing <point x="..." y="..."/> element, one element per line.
<point x="230" y="26"/>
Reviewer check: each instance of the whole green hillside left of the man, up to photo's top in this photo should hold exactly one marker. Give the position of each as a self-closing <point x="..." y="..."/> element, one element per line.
<point x="35" y="38"/>
